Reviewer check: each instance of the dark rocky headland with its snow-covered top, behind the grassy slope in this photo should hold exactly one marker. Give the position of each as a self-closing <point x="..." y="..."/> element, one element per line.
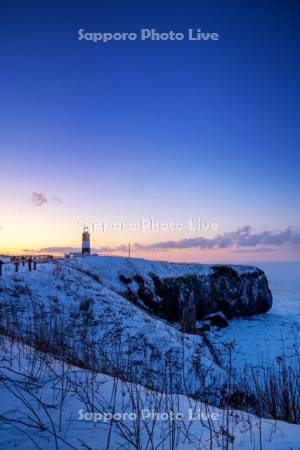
<point x="184" y="293"/>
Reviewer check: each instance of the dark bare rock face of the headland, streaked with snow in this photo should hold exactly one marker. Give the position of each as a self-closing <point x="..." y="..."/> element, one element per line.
<point x="191" y="297"/>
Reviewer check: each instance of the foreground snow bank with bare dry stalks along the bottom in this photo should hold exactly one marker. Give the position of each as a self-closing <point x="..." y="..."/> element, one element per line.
<point x="47" y="404"/>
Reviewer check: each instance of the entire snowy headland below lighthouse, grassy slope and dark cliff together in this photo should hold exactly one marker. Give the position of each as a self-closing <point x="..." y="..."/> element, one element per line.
<point x="117" y="316"/>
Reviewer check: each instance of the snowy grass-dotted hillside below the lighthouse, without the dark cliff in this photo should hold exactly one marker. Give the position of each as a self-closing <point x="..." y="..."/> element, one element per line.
<point x="73" y="310"/>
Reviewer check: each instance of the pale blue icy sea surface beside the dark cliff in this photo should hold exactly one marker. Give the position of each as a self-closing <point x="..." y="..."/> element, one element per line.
<point x="267" y="336"/>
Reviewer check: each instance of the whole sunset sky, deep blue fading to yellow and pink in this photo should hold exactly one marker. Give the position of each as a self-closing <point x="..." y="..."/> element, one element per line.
<point x="125" y="131"/>
